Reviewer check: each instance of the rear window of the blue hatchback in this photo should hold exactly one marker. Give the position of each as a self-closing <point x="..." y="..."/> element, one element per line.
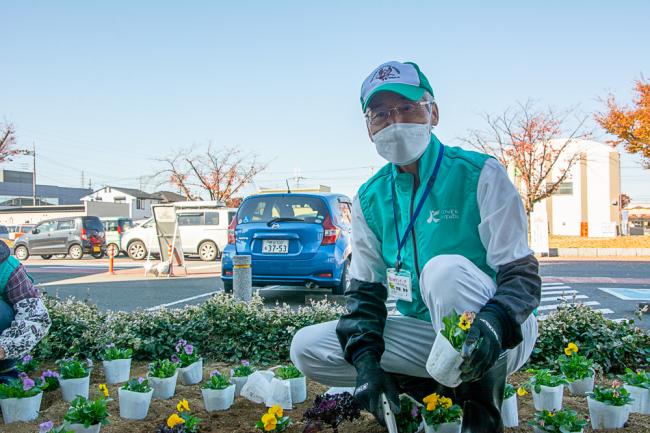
<point x="263" y="209"/>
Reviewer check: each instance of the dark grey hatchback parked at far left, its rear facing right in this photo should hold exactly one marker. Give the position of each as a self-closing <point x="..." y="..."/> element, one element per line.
<point x="74" y="236"/>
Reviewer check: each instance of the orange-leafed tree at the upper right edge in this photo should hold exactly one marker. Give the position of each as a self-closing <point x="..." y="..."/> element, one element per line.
<point x="631" y="126"/>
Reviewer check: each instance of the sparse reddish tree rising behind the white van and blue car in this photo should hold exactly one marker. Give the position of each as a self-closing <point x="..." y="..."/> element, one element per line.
<point x="221" y="173"/>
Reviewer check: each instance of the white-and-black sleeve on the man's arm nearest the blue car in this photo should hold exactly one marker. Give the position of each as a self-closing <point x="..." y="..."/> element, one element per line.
<point x="361" y="329"/>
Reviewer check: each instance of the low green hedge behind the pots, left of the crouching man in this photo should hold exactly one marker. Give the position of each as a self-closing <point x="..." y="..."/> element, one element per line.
<point x="228" y="330"/>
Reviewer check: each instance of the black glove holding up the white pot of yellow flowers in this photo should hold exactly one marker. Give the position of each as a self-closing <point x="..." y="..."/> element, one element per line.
<point x="482" y="346"/>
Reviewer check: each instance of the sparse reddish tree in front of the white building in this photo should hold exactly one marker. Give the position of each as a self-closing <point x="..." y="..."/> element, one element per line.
<point x="537" y="144"/>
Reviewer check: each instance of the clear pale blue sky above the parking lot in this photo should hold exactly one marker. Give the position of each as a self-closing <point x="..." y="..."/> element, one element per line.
<point x="108" y="87"/>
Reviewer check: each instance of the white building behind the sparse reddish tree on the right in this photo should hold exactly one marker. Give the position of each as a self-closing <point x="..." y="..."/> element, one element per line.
<point x="588" y="201"/>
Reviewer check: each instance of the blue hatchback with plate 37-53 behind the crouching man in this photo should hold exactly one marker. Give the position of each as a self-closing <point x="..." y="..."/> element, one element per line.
<point x="294" y="239"/>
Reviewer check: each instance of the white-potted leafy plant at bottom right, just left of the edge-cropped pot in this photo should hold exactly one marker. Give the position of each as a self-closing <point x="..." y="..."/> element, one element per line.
<point x="609" y="407"/>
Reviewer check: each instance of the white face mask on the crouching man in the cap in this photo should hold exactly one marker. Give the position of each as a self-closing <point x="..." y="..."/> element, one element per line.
<point x="402" y="143"/>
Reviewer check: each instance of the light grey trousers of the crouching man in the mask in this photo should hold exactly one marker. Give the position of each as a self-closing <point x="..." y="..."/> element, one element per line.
<point x="447" y="282"/>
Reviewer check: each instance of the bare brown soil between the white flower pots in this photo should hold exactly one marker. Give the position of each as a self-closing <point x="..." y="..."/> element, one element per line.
<point x="243" y="414"/>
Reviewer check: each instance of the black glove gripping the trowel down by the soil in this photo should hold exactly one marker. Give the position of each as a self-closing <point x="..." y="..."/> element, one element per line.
<point x="371" y="382"/>
